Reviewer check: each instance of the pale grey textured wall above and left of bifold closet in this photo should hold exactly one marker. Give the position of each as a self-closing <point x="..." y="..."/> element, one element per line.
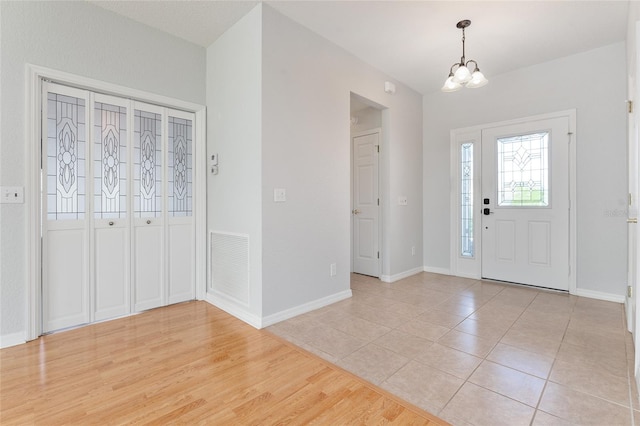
<point x="82" y="39"/>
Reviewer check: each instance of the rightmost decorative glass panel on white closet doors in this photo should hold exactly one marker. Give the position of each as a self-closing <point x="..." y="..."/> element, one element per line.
<point x="180" y="166"/>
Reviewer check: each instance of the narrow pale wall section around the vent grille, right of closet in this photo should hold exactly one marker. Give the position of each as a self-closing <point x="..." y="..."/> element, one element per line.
<point x="234" y="132"/>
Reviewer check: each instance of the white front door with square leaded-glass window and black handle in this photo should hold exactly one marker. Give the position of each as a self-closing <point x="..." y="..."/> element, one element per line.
<point x="525" y="203"/>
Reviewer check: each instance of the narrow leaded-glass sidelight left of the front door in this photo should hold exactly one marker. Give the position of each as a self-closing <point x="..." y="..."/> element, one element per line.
<point x="466" y="200"/>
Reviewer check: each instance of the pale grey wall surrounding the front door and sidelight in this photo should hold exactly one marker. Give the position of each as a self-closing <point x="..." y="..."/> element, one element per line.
<point x="594" y="83"/>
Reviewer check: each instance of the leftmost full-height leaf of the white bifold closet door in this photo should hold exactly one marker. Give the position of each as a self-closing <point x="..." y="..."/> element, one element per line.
<point x="65" y="224"/>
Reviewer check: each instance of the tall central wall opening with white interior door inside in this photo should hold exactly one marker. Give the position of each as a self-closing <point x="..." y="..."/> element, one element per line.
<point x="366" y="208"/>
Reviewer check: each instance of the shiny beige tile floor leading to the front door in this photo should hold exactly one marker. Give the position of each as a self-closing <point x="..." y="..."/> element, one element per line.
<point x="480" y="353"/>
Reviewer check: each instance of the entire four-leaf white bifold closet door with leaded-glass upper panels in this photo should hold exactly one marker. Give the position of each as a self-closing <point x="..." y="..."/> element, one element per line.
<point x="118" y="230"/>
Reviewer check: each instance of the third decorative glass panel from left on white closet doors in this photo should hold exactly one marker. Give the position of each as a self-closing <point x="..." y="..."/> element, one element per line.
<point x="147" y="163"/>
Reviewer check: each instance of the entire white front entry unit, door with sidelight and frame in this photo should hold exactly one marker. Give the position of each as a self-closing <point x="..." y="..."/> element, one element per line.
<point x="513" y="219"/>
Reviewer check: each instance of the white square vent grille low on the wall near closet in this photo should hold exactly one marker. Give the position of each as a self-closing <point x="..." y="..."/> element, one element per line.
<point x="230" y="265"/>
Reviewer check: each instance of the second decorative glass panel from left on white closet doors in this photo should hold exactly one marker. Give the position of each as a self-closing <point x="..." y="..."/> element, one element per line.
<point x="110" y="161"/>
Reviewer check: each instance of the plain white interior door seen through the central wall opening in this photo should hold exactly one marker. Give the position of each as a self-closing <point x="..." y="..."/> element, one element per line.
<point x="366" y="208"/>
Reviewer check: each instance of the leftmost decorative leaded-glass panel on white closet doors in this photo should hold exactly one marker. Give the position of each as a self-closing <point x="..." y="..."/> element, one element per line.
<point x="66" y="157"/>
